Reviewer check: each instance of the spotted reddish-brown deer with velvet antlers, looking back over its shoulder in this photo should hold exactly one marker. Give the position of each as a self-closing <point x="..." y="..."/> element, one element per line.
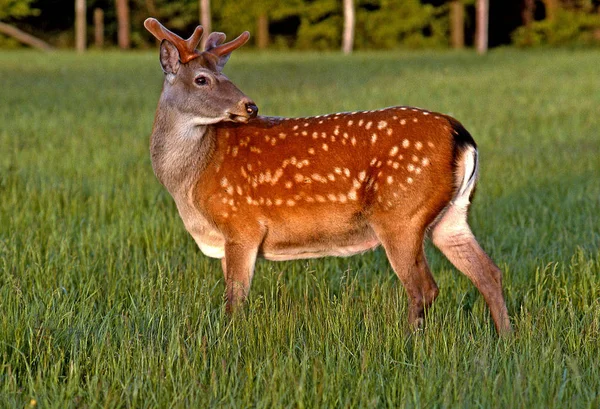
<point x="249" y="186"/>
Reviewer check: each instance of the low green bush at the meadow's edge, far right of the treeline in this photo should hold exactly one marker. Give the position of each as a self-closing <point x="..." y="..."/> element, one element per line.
<point x="568" y="27"/>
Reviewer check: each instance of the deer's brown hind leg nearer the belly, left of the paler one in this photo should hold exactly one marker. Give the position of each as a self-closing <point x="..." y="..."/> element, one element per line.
<point x="404" y="248"/>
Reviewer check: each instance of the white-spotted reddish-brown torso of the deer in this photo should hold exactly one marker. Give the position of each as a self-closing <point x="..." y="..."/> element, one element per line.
<point x="281" y="173"/>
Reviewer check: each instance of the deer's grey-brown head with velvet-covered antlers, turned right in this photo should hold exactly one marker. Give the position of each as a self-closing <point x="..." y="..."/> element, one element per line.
<point x="194" y="82"/>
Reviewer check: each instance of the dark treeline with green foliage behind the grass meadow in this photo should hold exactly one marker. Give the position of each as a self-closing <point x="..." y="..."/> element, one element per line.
<point x="318" y="24"/>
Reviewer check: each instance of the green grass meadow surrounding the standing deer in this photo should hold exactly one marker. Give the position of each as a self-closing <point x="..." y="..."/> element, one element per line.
<point x="105" y="301"/>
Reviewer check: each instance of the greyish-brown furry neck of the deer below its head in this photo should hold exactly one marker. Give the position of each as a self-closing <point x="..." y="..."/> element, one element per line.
<point x="180" y="149"/>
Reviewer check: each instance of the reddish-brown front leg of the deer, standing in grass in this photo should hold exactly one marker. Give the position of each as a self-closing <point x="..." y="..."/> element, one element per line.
<point x="238" y="269"/>
